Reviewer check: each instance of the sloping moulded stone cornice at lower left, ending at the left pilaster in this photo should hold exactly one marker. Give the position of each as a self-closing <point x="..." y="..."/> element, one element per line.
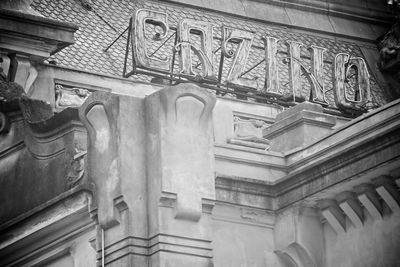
<point x="49" y="224"/>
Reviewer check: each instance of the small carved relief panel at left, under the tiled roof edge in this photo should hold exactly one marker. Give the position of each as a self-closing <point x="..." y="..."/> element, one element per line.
<point x="70" y="97"/>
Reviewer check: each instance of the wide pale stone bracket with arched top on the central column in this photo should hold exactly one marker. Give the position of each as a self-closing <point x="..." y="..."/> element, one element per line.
<point x="180" y="138"/>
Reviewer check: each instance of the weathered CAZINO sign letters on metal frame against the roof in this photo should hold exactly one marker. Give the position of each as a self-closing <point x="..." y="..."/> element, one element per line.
<point x="185" y="49"/>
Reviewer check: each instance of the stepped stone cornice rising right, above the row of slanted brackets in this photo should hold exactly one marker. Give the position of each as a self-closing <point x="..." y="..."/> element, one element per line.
<point x="355" y="153"/>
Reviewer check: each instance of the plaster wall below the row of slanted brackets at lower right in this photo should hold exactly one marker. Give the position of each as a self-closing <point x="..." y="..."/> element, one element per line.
<point x="376" y="244"/>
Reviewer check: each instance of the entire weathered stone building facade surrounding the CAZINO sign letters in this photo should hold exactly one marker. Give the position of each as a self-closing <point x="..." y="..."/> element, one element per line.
<point x="99" y="170"/>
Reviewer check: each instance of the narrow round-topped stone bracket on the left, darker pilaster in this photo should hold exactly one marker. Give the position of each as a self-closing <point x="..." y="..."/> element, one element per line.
<point x="99" y="114"/>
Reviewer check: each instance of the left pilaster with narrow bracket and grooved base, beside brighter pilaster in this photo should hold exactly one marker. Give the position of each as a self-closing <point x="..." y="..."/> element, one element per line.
<point x="116" y="168"/>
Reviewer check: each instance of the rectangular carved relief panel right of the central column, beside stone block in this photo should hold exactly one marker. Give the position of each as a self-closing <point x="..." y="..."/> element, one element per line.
<point x="248" y="132"/>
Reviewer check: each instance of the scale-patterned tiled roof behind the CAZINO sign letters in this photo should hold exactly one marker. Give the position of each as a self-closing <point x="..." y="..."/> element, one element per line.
<point x="99" y="26"/>
